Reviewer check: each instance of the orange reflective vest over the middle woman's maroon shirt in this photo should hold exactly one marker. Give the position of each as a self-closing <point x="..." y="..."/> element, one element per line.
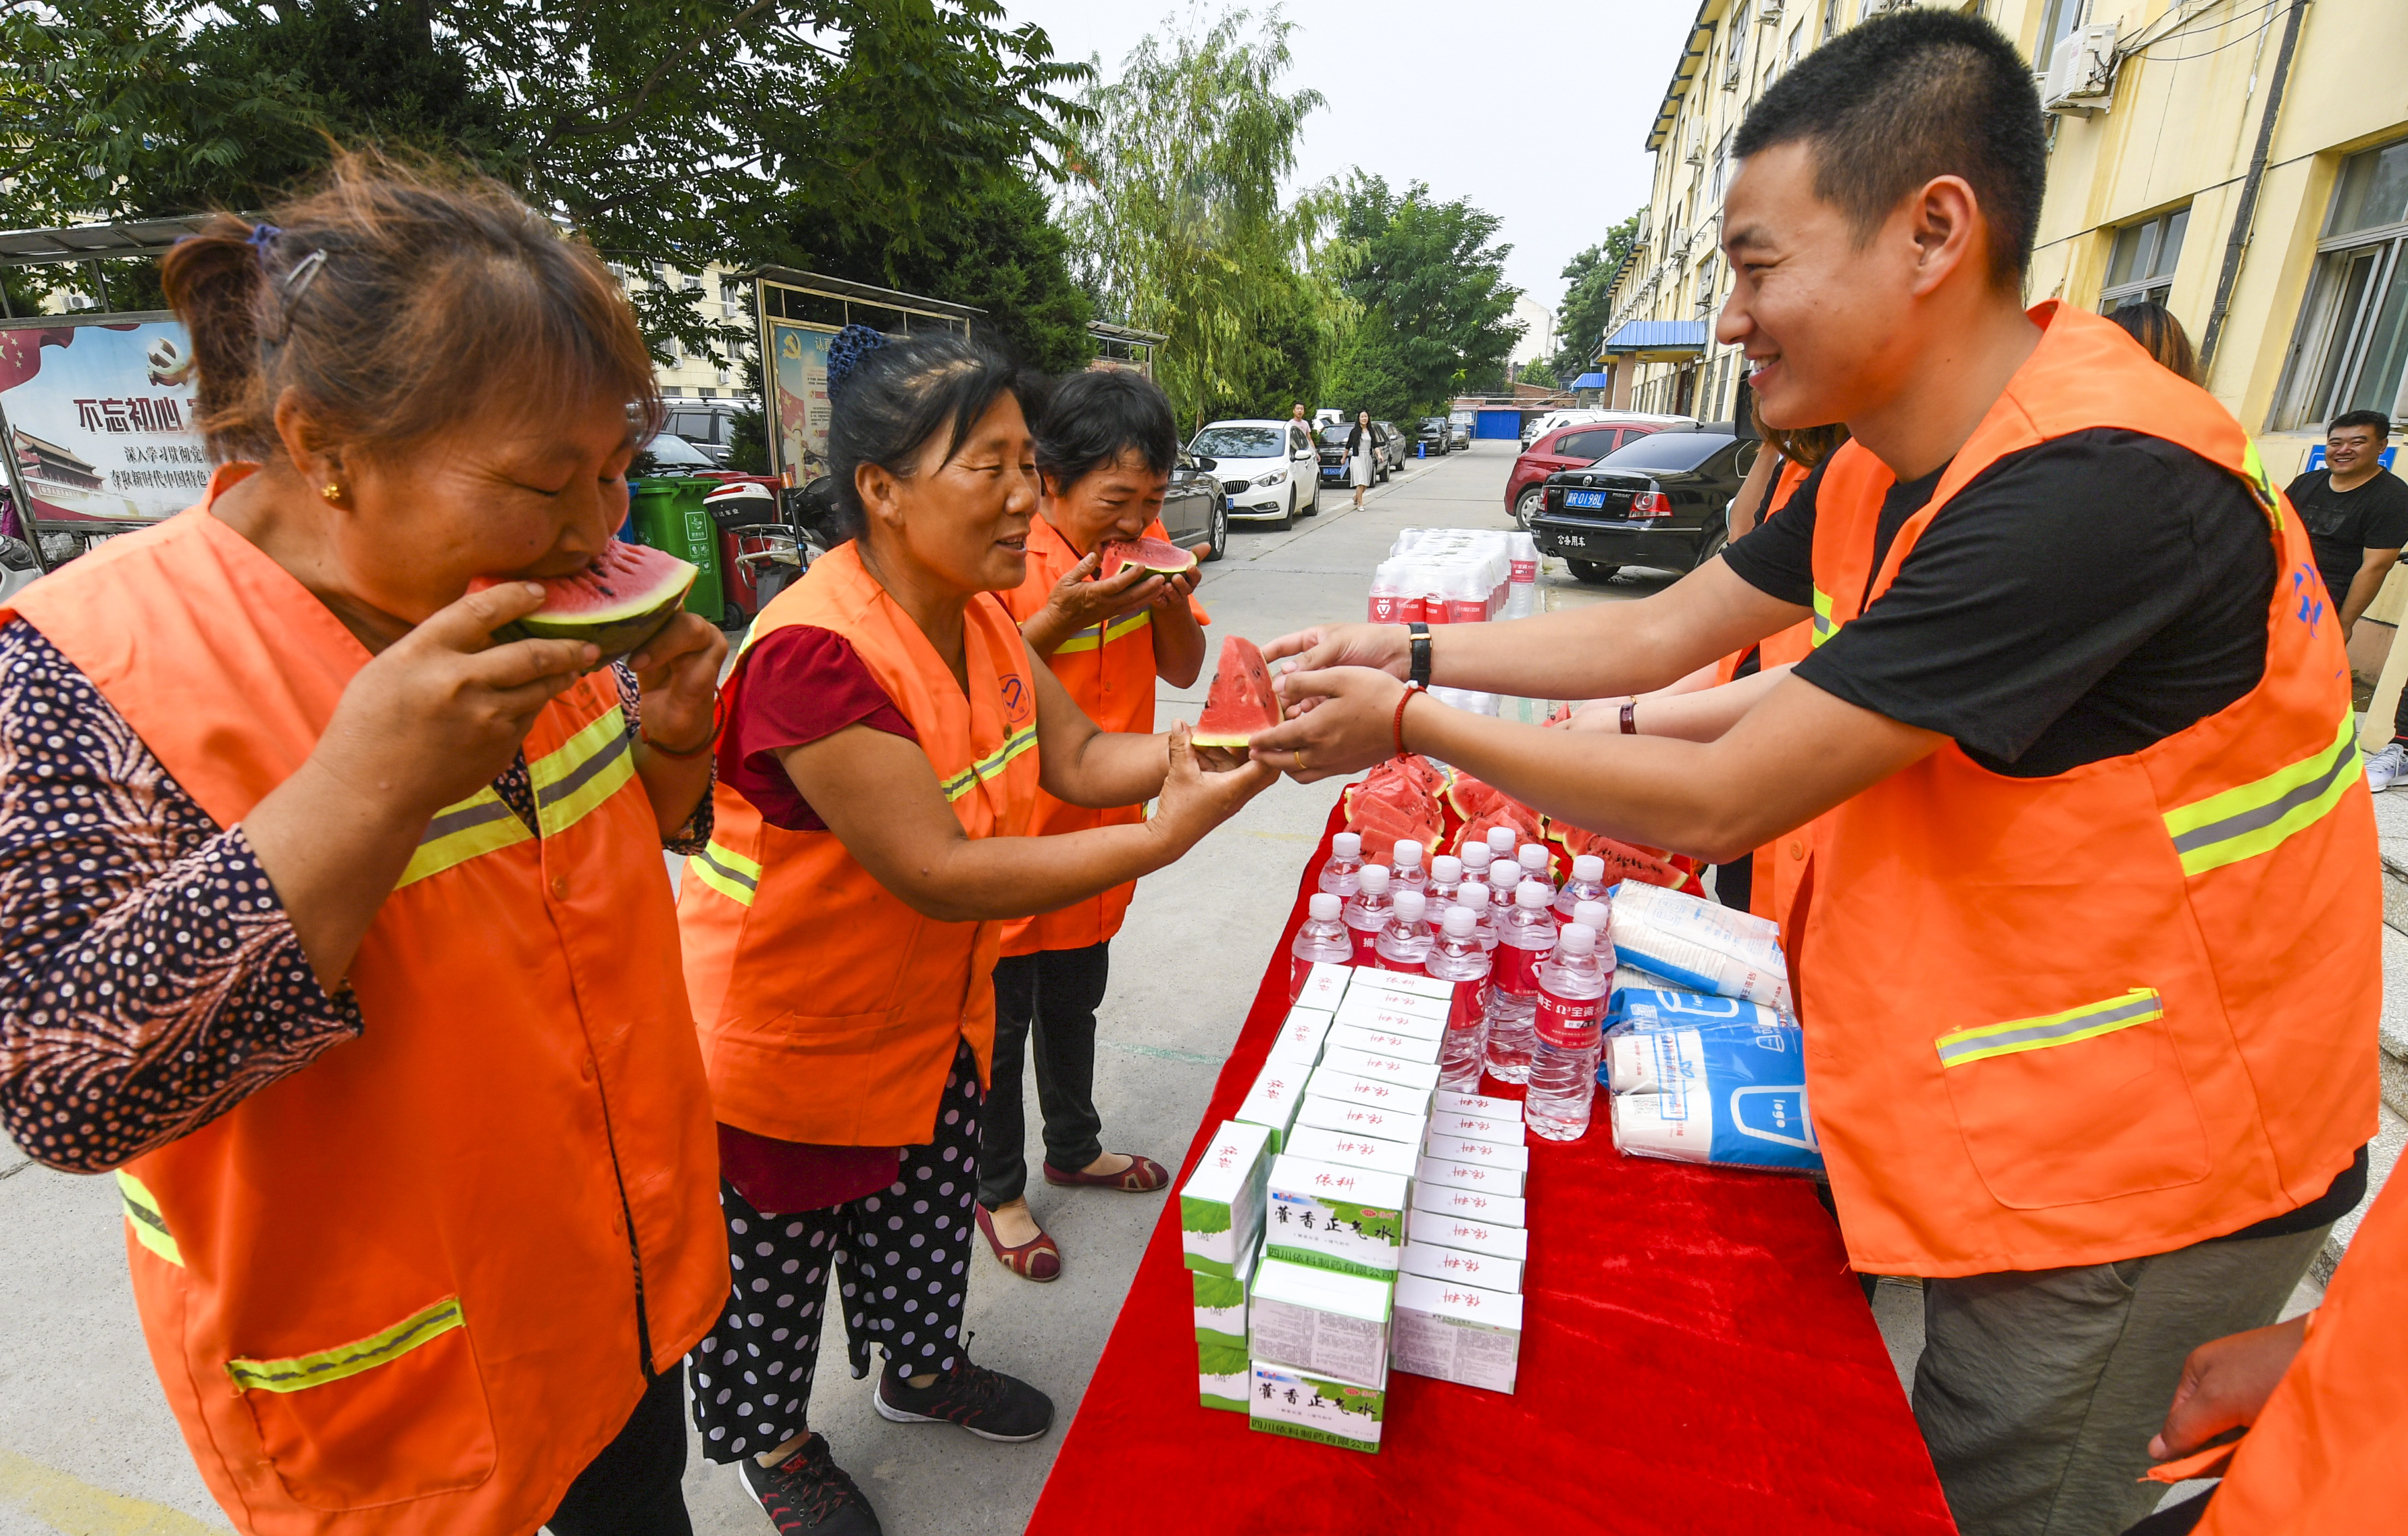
<point x="830" y="1008"/>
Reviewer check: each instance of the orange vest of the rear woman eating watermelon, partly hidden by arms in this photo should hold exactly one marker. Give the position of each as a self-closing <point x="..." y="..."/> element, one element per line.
<point x="1109" y="670"/>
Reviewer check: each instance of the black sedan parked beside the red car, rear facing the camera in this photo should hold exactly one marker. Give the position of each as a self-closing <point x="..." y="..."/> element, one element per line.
<point x="1663" y="502"/>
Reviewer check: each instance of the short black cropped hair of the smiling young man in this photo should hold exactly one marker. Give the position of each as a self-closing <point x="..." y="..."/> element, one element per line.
<point x="1908" y="98"/>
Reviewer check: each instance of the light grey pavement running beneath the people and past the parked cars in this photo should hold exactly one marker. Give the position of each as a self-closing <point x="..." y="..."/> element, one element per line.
<point x="90" y="1448"/>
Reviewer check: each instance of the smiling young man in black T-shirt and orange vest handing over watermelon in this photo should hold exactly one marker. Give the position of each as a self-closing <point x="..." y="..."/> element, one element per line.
<point x="2089" y="945"/>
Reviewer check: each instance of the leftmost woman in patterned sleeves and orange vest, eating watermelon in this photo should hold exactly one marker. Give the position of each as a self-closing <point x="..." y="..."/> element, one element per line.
<point x="338" y="928"/>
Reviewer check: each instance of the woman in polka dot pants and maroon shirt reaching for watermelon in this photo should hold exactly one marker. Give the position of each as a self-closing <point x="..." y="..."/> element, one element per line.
<point x="883" y="748"/>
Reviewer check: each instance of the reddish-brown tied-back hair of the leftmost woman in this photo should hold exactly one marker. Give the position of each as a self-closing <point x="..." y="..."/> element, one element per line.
<point x="399" y="302"/>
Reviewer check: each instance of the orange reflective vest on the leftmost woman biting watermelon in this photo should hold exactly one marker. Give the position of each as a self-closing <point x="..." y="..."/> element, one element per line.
<point x="413" y="1287"/>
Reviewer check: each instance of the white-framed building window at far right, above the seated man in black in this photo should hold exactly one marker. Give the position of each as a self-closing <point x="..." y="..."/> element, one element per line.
<point x="2351" y="350"/>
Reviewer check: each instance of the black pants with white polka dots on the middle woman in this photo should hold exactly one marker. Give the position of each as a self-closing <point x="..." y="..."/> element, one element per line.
<point x="902" y="1263"/>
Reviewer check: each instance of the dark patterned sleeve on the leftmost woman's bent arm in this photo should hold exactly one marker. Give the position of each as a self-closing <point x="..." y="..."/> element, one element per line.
<point x="148" y="974"/>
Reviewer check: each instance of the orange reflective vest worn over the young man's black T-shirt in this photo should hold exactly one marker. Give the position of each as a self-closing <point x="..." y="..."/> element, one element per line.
<point x="2118" y="1010"/>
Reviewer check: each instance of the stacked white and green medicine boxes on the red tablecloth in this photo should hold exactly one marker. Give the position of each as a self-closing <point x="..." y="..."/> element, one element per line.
<point x="1354" y="1219"/>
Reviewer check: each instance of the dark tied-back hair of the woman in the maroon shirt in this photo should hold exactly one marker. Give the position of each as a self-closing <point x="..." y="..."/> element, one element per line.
<point x="887" y="398"/>
